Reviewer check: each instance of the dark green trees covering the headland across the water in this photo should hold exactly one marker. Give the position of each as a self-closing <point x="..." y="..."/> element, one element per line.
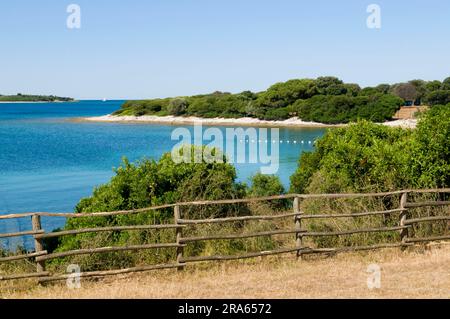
<point x="325" y="99"/>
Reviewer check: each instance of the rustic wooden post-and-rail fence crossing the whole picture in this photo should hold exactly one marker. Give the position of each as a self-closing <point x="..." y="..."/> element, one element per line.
<point x="40" y="256"/>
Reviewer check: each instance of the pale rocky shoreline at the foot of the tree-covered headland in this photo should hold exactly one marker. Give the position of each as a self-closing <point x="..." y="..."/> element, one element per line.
<point x="245" y="121"/>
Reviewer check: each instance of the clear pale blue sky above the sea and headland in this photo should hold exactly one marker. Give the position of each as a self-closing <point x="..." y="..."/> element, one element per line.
<point x="158" y="48"/>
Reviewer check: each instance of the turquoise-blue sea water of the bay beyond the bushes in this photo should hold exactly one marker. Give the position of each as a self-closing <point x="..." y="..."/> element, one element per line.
<point x="47" y="163"/>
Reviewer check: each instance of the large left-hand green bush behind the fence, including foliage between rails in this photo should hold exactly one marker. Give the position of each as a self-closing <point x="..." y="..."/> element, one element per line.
<point x="150" y="183"/>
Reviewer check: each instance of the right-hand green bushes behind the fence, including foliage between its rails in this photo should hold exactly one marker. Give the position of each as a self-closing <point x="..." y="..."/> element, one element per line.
<point x="365" y="157"/>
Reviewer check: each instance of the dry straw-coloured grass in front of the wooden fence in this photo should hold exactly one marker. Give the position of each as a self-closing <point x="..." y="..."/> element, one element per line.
<point x="417" y="273"/>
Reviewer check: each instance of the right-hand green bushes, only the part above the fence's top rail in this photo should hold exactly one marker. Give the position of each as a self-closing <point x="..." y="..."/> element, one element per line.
<point x="368" y="157"/>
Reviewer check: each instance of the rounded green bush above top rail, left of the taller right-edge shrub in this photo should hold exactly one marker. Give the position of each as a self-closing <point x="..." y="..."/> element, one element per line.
<point x="361" y="157"/>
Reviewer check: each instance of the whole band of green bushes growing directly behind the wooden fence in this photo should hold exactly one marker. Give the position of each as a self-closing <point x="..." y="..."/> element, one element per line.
<point x="363" y="157"/>
